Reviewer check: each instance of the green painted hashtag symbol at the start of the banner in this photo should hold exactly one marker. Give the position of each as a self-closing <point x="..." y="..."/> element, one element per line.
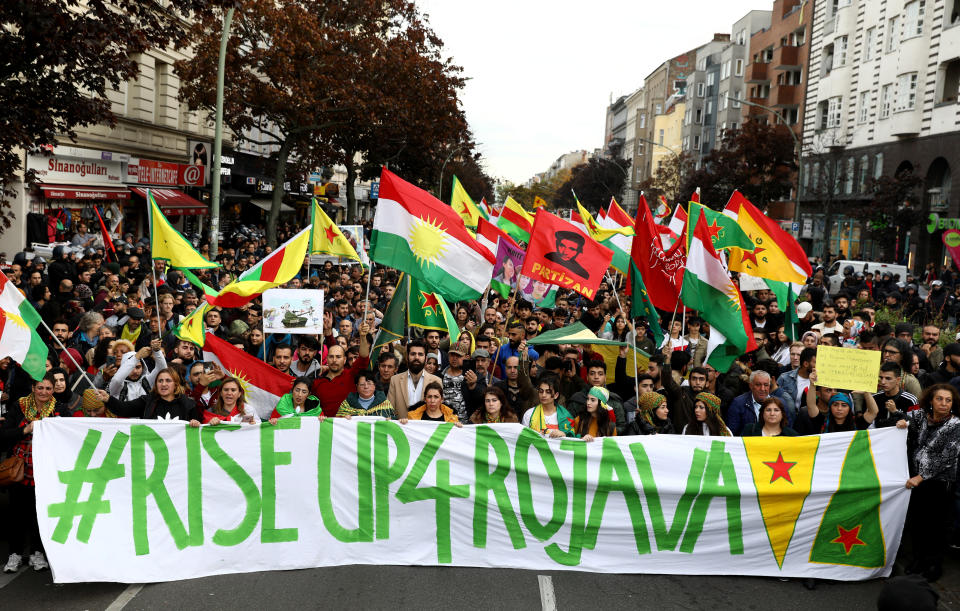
<point x="81" y="474"/>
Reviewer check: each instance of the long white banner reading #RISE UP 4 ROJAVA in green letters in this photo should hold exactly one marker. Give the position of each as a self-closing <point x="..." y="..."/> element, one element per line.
<point x="142" y="501"/>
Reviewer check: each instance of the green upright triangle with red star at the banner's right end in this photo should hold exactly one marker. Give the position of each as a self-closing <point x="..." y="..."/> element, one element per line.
<point x="850" y="533"/>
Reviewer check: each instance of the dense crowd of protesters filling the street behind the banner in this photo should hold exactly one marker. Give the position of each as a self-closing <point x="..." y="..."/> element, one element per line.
<point x="122" y="360"/>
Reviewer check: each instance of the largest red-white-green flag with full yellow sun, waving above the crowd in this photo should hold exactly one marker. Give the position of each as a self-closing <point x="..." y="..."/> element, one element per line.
<point x="416" y="233"/>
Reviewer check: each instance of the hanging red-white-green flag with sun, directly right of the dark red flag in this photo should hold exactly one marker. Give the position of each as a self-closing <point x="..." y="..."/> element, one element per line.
<point x="708" y="288"/>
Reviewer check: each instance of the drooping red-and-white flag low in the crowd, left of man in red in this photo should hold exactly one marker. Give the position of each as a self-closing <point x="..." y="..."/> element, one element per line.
<point x="262" y="384"/>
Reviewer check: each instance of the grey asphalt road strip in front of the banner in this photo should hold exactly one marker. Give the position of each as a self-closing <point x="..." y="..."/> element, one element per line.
<point x="394" y="587"/>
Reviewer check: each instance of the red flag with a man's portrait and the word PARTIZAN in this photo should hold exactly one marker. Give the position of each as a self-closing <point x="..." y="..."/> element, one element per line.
<point x="561" y="254"/>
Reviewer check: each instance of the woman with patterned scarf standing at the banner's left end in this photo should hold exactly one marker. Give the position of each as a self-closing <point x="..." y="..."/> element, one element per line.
<point x="16" y="430"/>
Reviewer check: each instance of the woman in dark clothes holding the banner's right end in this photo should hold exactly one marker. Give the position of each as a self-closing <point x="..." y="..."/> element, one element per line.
<point x="933" y="440"/>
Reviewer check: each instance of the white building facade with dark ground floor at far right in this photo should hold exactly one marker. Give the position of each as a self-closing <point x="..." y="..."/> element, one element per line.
<point x="881" y="100"/>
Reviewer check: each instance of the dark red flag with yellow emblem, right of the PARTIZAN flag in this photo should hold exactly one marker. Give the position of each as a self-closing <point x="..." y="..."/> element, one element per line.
<point x="662" y="271"/>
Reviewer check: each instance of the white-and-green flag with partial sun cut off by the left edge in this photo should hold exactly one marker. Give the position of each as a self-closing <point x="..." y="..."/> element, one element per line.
<point x="18" y="331"/>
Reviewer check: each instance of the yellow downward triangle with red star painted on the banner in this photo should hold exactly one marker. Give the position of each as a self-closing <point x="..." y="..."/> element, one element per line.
<point x="783" y="475"/>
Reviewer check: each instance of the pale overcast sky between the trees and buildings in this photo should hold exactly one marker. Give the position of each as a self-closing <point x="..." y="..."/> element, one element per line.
<point x="542" y="72"/>
